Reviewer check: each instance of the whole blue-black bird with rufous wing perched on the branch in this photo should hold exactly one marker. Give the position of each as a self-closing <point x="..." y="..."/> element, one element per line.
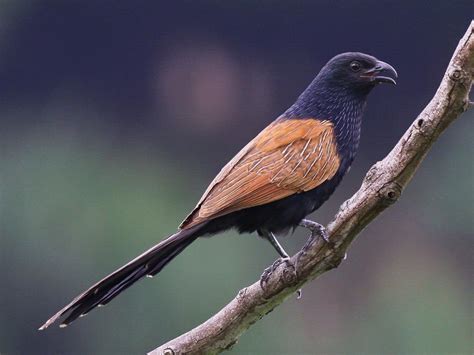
<point x="272" y="184"/>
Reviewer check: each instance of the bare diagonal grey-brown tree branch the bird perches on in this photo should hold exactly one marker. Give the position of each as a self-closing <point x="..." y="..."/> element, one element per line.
<point x="382" y="186"/>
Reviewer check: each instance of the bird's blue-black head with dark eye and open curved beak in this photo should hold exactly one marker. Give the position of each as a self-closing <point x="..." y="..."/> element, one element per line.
<point x="357" y="71"/>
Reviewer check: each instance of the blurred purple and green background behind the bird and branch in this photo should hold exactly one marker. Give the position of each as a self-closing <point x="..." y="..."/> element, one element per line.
<point x="115" y="115"/>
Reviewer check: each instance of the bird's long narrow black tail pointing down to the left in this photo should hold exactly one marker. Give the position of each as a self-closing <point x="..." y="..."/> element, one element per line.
<point x="147" y="264"/>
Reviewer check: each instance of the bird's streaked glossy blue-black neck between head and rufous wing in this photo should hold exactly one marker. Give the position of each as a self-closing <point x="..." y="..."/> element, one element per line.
<point x="342" y="106"/>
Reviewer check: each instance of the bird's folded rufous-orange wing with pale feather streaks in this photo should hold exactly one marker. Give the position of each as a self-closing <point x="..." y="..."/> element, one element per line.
<point x="287" y="157"/>
